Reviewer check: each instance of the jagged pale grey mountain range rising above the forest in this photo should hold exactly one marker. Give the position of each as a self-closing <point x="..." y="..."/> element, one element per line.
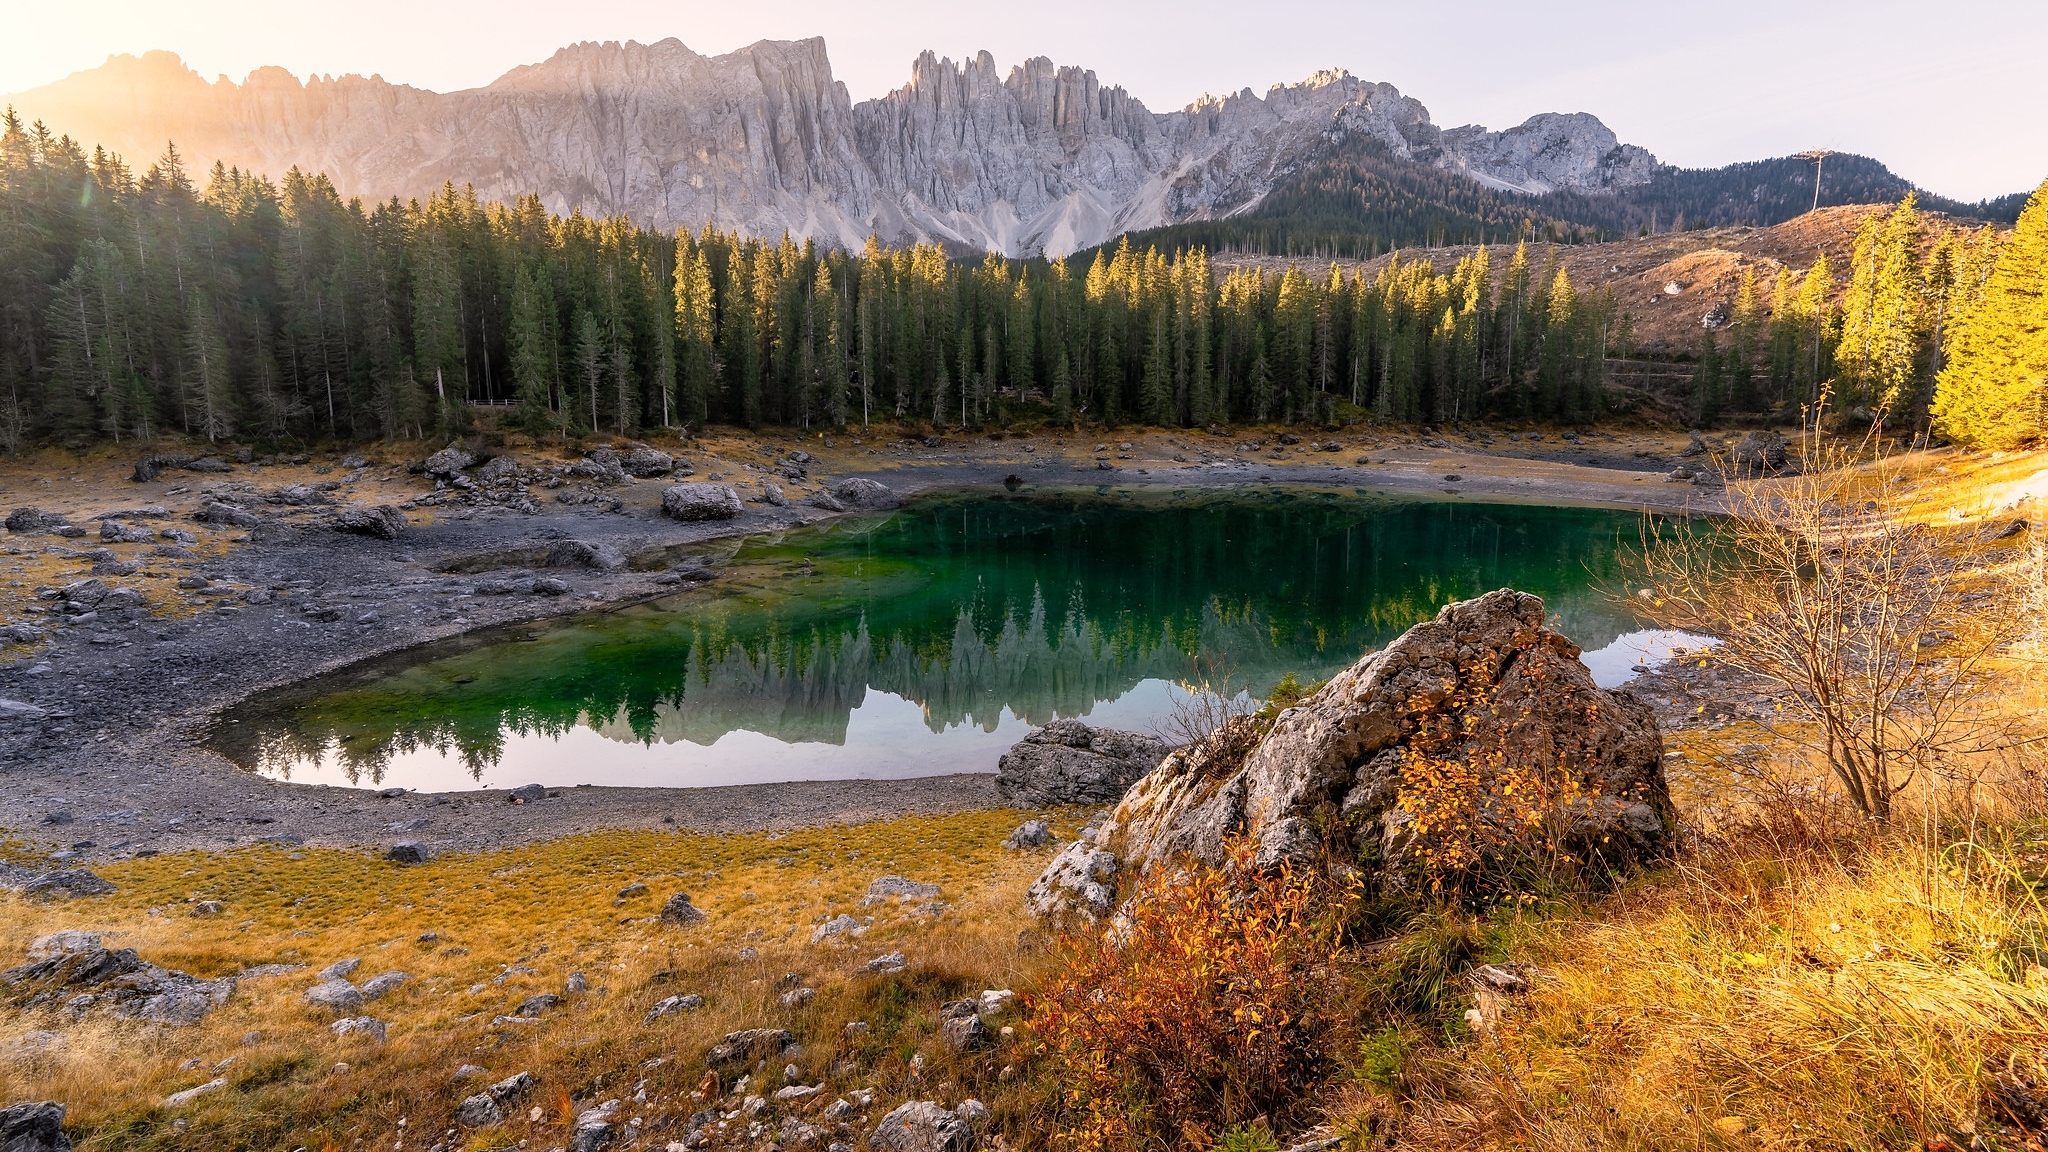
<point x="1039" y="159"/>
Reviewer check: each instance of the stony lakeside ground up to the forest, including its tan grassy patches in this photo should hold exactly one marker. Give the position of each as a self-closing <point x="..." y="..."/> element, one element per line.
<point x="226" y="577"/>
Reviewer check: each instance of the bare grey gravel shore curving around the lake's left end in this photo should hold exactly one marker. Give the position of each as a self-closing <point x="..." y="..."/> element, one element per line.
<point x="103" y="747"/>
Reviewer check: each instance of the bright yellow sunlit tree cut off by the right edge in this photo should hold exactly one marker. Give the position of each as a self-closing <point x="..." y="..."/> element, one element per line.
<point x="1994" y="393"/>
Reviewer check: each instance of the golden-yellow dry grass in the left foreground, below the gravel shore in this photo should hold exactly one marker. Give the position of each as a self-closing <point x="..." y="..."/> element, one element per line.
<point x="509" y="925"/>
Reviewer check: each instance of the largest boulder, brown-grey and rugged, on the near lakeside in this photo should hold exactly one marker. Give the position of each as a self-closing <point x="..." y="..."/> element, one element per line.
<point x="1328" y="780"/>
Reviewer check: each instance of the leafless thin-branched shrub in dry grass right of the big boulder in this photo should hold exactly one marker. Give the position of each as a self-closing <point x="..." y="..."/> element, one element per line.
<point x="1873" y="630"/>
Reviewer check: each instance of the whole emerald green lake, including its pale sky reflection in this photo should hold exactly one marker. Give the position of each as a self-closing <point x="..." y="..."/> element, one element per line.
<point x="929" y="641"/>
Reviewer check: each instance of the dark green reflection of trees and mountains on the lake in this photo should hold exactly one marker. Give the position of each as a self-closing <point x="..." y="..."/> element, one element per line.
<point x="968" y="608"/>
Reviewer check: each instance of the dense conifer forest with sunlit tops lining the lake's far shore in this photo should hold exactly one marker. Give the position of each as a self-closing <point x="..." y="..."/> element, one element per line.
<point x="241" y="308"/>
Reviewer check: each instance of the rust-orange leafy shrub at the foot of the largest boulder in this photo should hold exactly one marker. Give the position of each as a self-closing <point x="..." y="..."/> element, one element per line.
<point x="1215" y="1001"/>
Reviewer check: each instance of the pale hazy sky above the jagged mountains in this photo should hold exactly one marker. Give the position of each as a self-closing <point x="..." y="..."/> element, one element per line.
<point x="1951" y="95"/>
